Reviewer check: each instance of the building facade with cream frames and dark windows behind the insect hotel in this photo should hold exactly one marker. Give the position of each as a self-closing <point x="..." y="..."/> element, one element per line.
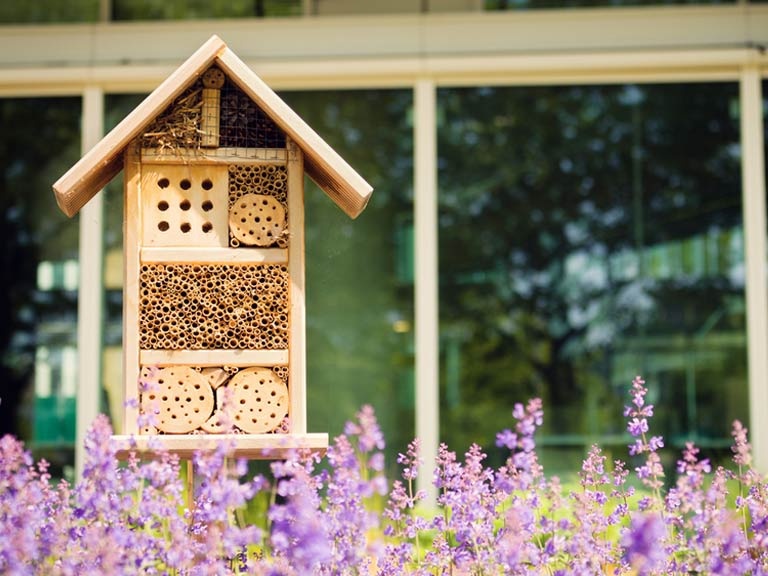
<point x="565" y="196"/>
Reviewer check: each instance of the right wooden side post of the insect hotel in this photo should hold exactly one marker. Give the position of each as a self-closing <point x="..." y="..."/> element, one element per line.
<point x="297" y="337"/>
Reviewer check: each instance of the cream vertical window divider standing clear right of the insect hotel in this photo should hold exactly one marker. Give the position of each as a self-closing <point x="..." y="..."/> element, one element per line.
<point x="425" y="280"/>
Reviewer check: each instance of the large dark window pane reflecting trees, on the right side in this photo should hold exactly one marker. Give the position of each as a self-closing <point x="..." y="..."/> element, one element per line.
<point x="589" y="234"/>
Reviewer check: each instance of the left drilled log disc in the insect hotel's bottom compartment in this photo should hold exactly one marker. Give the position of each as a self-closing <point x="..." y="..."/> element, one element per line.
<point x="183" y="400"/>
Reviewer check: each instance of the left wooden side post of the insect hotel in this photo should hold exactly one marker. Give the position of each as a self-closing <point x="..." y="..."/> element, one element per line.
<point x="131" y="255"/>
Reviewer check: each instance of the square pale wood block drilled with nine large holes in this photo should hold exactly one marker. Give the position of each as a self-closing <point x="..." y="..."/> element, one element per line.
<point x="185" y="205"/>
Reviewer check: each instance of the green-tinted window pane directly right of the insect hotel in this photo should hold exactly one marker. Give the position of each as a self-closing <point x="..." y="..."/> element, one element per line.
<point x="359" y="272"/>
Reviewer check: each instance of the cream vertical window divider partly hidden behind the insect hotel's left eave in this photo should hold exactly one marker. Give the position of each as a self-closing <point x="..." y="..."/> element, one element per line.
<point x="90" y="295"/>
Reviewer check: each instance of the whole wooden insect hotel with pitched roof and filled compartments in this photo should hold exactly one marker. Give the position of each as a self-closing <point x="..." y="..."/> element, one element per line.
<point x="213" y="165"/>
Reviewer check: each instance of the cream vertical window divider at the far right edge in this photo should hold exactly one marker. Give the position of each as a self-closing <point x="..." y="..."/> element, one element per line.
<point x="756" y="283"/>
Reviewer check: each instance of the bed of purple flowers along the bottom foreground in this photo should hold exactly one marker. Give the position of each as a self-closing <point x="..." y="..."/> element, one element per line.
<point x="343" y="516"/>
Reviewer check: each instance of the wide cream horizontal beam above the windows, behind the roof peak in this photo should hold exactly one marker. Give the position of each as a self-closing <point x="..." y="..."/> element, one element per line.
<point x="386" y="36"/>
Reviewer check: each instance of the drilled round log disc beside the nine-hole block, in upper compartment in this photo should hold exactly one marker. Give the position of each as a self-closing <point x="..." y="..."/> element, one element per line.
<point x="257" y="220"/>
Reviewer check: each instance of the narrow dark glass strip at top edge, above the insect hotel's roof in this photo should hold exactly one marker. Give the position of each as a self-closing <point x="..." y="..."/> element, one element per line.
<point x="200" y="9"/>
